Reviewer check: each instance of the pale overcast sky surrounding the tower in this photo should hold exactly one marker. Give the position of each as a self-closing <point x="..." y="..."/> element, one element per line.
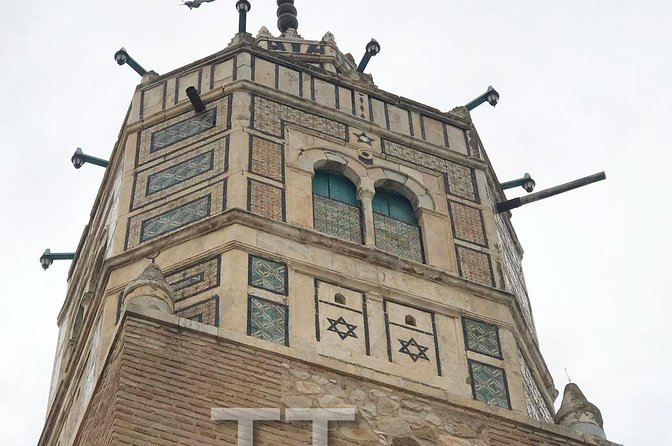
<point x="585" y="87"/>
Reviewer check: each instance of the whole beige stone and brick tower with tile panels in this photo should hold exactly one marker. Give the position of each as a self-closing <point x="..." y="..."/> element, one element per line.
<point x="306" y="241"/>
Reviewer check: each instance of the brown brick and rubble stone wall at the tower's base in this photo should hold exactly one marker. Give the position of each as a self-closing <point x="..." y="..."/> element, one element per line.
<point x="161" y="382"/>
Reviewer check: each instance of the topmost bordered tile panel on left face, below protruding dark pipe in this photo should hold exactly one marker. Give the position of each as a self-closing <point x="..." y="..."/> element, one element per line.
<point x="182" y="131"/>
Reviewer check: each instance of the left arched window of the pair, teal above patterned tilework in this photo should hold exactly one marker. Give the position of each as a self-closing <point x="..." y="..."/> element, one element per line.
<point x="336" y="209"/>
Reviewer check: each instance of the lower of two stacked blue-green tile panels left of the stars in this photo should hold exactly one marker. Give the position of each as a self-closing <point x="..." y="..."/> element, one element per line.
<point x="267" y="320"/>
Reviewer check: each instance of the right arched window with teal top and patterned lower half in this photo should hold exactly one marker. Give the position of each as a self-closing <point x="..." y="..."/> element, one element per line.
<point x="397" y="229"/>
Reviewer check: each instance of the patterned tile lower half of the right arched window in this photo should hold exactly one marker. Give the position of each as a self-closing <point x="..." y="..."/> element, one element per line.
<point x="398" y="238"/>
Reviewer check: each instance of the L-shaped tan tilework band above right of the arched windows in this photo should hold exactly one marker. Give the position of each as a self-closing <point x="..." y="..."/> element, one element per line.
<point x="459" y="179"/>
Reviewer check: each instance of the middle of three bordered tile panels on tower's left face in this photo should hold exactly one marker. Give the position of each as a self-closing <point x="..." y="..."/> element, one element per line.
<point x="167" y="178"/>
